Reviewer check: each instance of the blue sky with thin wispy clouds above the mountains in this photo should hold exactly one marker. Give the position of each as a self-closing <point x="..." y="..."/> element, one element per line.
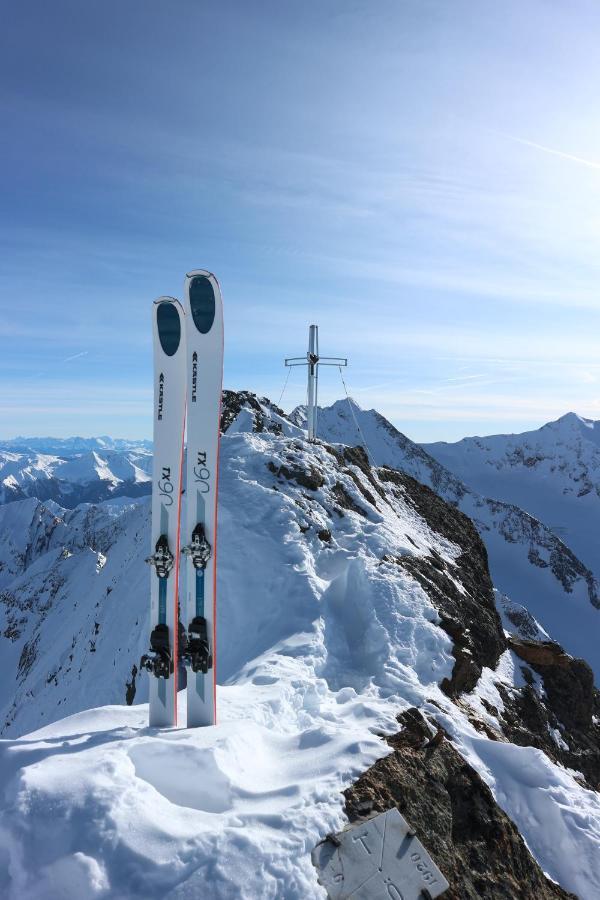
<point x="420" y="178"/>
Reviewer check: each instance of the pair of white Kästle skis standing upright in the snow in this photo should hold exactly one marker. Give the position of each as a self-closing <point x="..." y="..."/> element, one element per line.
<point x="188" y="369"/>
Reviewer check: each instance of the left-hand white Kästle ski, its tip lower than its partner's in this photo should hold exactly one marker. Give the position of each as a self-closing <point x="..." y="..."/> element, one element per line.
<point x="169" y="422"/>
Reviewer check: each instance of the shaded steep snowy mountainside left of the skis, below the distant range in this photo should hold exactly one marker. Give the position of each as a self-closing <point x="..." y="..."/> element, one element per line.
<point x="66" y="587"/>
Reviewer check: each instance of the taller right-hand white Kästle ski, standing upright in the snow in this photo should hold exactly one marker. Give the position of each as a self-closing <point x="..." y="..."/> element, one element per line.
<point x="204" y="348"/>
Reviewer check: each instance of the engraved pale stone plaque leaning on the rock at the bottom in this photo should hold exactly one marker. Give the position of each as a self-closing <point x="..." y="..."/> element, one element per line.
<point x="377" y="859"/>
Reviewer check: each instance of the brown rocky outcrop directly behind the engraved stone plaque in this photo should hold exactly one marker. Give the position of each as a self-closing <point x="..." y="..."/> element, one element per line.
<point x="474" y="843"/>
